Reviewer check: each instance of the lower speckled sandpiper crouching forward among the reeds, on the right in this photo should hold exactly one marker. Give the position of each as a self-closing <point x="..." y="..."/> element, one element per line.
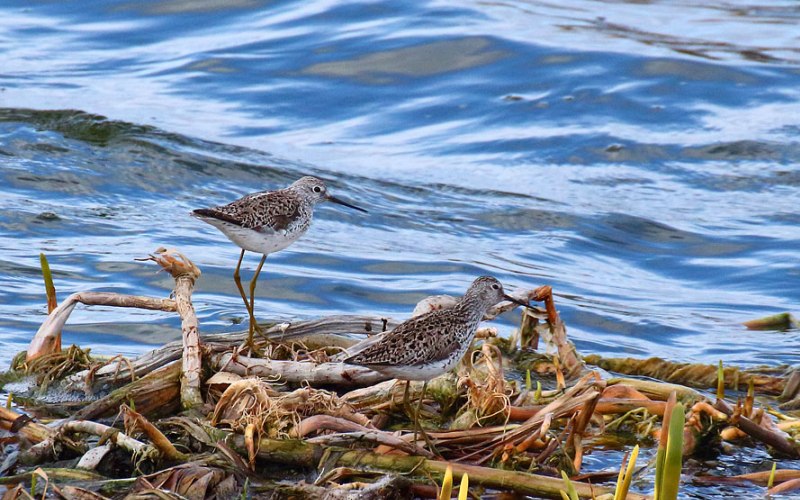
<point x="429" y="345"/>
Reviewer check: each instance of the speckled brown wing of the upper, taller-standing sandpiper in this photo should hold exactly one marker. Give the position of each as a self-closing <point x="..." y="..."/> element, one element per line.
<point x="264" y="211"/>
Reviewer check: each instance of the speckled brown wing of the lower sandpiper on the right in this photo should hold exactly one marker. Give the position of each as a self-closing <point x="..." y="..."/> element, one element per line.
<point x="424" y="339"/>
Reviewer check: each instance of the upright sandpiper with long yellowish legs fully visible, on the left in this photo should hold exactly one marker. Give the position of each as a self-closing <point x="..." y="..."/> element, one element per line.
<point x="267" y="222"/>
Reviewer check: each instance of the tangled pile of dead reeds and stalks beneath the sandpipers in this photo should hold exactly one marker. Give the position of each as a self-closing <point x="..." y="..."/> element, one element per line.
<point x="224" y="416"/>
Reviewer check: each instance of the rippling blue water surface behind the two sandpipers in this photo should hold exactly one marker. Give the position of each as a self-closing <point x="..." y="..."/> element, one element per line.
<point x="641" y="158"/>
